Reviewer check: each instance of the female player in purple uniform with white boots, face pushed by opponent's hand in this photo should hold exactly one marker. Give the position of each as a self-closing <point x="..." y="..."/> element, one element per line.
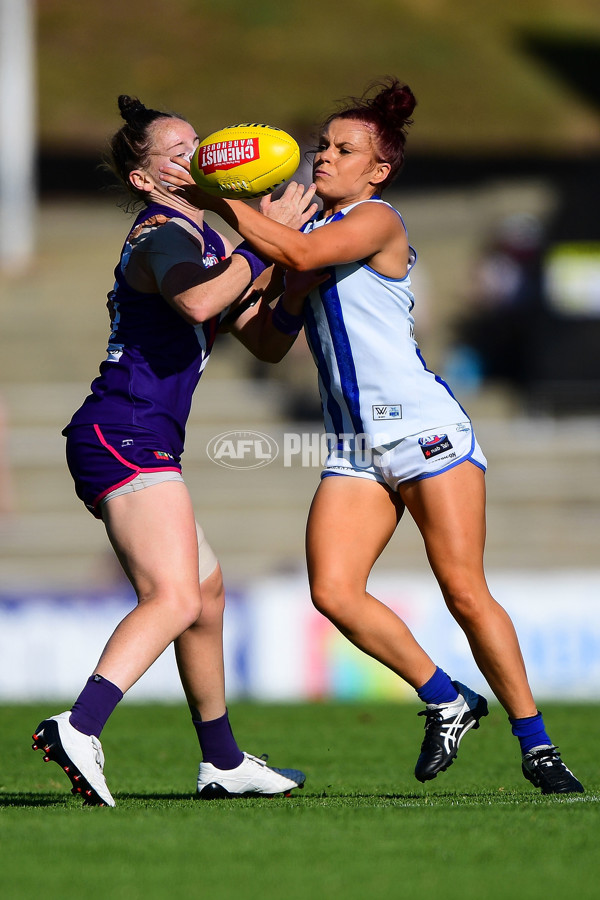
<point x="177" y="283"/>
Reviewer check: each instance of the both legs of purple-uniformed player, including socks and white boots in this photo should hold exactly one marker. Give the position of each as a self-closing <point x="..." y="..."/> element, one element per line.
<point x="157" y="545"/>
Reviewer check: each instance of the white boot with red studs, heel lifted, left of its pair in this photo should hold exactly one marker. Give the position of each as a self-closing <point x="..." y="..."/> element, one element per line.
<point x="79" y="755"/>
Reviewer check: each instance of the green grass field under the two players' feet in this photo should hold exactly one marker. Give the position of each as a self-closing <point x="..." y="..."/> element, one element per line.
<point x="362" y="827"/>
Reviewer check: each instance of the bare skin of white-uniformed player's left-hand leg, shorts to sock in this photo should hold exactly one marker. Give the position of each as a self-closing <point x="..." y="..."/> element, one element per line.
<point x="350" y="522"/>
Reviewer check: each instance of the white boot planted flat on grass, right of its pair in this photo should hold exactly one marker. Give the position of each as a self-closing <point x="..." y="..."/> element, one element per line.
<point x="253" y="777"/>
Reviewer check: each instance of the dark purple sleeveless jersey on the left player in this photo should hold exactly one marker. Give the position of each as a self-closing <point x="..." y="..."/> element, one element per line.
<point x="155" y="358"/>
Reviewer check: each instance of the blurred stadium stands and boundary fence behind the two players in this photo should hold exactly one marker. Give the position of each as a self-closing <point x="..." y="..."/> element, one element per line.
<point x="500" y="194"/>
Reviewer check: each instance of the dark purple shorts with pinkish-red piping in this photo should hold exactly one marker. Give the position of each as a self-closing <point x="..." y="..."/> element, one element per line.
<point x="102" y="458"/>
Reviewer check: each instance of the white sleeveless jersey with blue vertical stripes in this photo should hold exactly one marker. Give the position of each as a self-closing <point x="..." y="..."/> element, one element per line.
<point x="373" y="380"/>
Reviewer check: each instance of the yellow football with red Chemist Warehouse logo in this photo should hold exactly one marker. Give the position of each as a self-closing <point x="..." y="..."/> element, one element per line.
<point x="244" y="161"/>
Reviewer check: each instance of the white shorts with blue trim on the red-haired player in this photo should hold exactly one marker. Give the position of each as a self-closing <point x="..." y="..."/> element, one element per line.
<point x="413" y="458"/>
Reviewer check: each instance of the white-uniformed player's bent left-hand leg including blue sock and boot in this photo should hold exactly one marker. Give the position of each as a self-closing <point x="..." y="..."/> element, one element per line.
<point x="350" y="522"/>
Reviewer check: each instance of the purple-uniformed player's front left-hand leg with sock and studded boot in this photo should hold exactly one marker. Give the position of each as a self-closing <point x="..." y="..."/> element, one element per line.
<point x="154" y="535"/>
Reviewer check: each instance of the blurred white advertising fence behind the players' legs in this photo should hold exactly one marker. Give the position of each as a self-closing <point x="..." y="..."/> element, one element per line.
<point x="278" y="648"/>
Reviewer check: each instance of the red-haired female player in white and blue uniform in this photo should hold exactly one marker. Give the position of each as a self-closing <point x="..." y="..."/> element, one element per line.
<point x="402" y="439"/>
